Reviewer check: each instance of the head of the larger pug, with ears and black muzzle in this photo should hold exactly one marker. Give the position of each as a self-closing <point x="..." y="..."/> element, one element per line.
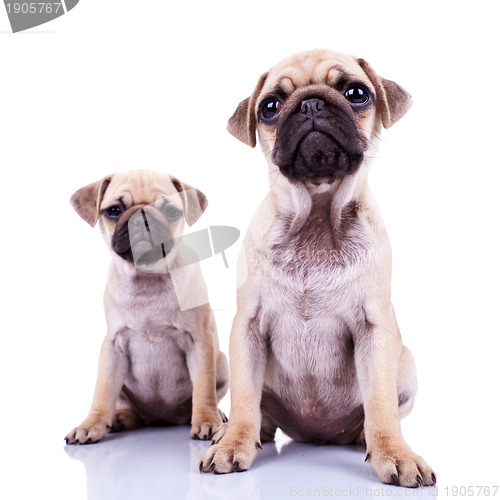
<point x="317" y="115"/>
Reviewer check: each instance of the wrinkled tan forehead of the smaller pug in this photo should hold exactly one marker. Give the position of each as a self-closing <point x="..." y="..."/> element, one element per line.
<point x="137" y="187"/>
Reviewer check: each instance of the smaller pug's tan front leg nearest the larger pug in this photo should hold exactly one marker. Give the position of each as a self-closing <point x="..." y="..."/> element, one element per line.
<point x="202" y="361"/>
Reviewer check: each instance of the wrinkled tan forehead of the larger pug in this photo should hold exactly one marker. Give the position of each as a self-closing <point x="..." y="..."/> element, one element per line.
<point x="317" y="66"/>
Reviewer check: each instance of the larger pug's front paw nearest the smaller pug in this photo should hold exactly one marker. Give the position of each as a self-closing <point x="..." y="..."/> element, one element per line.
<point x="230" y="455"/>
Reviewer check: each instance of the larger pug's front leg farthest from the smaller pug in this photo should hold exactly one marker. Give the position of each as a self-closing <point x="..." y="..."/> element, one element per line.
<point x="378" y="349"/>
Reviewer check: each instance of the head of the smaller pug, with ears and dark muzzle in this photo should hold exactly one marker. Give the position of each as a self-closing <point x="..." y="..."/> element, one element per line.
<point x="142" y="215"/>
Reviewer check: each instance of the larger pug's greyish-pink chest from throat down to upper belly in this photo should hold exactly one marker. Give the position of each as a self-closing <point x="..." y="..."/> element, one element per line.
<point x="315" y="291"/>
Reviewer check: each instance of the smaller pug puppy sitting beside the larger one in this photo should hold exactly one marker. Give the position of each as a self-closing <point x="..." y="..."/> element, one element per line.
<point x="158" y="364"/>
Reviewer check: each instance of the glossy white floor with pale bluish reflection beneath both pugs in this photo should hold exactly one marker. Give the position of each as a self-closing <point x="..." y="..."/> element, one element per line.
<point x="162" y="463"/>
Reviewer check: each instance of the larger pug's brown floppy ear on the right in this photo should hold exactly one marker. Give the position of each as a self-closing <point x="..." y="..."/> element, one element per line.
<point x="392" y="100"/>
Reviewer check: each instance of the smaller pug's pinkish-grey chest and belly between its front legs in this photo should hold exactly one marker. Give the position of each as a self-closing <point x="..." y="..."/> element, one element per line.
<point x="156" y="339"/>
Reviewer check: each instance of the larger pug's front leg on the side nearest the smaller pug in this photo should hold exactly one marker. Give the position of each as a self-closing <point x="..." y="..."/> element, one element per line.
<point x="236" y="449"/>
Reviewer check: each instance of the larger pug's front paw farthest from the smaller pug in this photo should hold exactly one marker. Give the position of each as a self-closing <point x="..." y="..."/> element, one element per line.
<point x="398" y="465"/>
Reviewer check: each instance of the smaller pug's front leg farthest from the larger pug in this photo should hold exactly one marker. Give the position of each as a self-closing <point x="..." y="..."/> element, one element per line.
<point x="113" y="367"/>
